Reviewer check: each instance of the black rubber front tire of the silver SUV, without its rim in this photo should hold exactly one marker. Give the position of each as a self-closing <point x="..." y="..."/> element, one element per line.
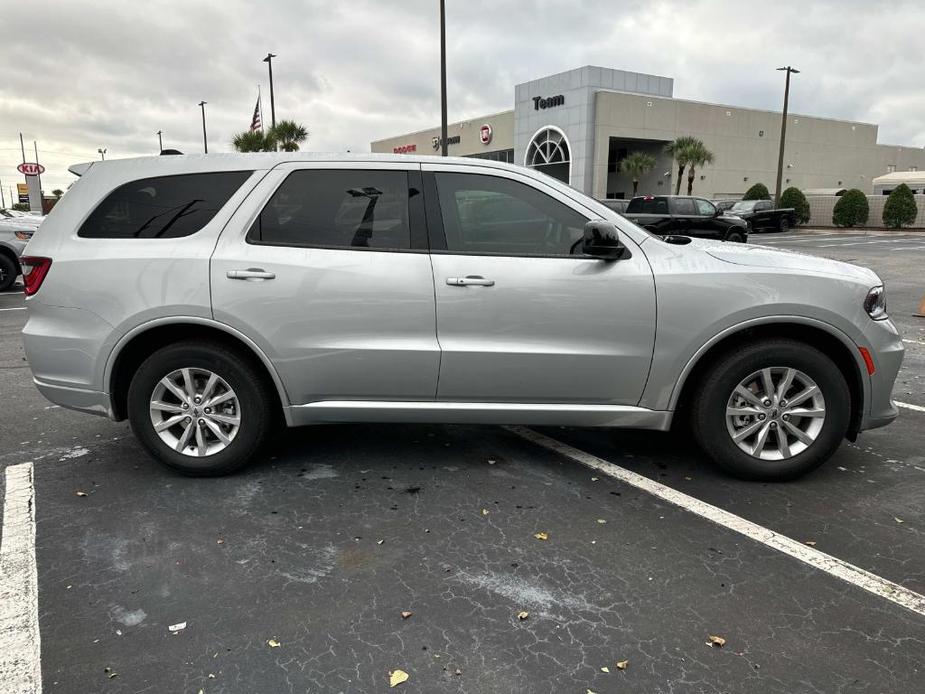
<point x="708" y="413"/>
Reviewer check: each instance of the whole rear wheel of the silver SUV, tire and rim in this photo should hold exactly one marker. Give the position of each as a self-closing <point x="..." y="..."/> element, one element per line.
<point x="200" y="408"/>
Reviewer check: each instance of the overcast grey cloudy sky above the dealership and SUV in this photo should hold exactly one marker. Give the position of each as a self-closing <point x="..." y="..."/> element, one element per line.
<point x="81" y="74"/>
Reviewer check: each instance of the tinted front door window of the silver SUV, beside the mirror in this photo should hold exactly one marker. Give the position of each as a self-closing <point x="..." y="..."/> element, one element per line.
<point x="489" y="214"/>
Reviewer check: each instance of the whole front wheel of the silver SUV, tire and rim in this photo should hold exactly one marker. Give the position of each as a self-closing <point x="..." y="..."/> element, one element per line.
<point x="772" y="411"/>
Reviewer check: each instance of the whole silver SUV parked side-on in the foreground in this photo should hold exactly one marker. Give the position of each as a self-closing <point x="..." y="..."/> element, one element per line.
<point x="206" y="298"/>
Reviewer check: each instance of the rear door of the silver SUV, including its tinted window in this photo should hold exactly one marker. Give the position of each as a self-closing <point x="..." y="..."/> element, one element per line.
<point x="325" y="266"/>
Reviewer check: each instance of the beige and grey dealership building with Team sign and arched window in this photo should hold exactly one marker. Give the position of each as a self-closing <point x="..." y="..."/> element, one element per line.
<point x="578" y="126"/>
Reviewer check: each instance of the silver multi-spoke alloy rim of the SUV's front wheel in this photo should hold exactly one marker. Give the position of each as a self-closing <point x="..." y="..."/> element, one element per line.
<point x="775" y="413"/>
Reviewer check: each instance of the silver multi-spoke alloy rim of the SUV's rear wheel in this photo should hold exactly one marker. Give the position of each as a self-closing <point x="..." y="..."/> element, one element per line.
<point x="195" y="412"/>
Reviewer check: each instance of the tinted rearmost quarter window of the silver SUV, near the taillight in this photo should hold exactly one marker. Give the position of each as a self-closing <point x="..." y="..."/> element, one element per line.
<point x="165" y="207"/>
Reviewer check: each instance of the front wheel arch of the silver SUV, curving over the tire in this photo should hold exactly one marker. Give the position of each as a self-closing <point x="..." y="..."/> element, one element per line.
<point x="833" y="342"/>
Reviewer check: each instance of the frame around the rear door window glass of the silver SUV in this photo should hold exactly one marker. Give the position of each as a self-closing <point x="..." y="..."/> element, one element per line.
<point x="417" y="225"/>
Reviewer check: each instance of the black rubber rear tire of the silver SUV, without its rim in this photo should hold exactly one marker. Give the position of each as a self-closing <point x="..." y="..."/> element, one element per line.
<point x="254" y="394"/>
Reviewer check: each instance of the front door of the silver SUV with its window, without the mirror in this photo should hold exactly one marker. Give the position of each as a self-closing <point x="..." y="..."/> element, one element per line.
<point x="519" y="317"/>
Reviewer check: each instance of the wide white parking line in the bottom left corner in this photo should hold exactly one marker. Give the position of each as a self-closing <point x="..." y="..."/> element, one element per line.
<point x="20" y="645"/>
